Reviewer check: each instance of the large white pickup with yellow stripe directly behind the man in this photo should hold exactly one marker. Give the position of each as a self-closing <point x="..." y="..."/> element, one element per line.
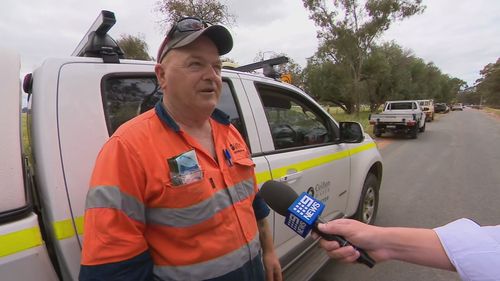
<point x="77" y="102"/>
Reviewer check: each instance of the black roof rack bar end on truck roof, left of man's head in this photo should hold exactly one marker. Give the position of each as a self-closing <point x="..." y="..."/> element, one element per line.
<point x="98" y="43"/>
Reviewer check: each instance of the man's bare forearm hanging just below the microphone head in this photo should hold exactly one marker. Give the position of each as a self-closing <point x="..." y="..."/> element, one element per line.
<point x="271" y="261"/>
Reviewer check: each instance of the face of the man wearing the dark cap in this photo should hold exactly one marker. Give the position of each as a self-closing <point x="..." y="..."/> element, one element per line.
<point x="190" y="77"/>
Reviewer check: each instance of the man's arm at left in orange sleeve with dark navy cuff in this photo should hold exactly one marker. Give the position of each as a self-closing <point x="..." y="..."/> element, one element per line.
<point x="114" y="247"/>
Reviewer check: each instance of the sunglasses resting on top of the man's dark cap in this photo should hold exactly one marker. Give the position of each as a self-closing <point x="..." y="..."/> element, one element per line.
<point x="175" y="35"/>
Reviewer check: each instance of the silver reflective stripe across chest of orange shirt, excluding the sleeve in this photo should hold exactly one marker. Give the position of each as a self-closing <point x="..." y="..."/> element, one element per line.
<point x="195" y="214"/>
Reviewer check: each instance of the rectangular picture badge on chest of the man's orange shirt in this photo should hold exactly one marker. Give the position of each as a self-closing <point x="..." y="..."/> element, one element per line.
<point x="184" y="168"/>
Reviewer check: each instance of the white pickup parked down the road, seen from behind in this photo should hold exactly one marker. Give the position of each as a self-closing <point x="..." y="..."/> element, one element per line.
<point x="400" y="117"/>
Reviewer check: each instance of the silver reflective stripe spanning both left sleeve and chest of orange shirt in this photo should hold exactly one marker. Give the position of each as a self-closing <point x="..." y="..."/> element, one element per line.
<point x="112" y="197"/>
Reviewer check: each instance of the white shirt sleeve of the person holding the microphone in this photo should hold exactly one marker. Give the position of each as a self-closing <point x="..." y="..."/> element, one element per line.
<point x="472" y="249"/>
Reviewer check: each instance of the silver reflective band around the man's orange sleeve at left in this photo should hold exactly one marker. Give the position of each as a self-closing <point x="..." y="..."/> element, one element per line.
<point x="112" y="197"/>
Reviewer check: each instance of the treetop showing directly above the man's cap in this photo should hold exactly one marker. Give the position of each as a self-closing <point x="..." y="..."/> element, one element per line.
<point x="209" y="10"/>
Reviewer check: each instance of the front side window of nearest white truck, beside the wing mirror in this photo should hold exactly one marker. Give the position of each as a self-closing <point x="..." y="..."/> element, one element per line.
<point x="294" y="121"/>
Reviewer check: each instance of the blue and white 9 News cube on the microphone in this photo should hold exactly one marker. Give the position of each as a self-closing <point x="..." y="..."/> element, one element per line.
<point x="303" y="213"/>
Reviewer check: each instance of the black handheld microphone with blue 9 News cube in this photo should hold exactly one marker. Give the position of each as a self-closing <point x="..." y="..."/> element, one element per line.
<point x="302" y="214"/>
